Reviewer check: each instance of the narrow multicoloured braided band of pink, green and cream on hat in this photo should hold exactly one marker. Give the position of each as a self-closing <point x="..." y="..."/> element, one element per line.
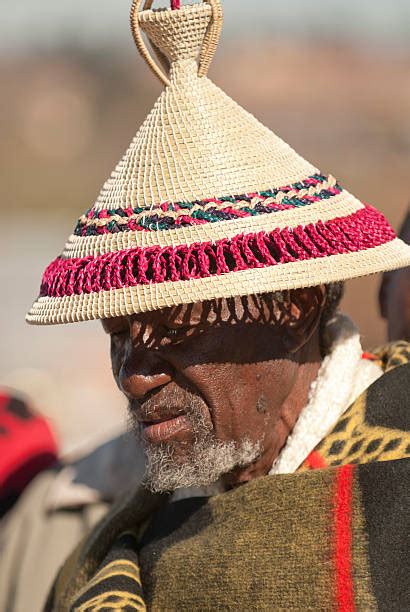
<point x="168" y="215"/>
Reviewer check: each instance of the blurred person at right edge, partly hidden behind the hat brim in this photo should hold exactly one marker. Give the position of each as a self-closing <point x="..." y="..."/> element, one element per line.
<point x="394" y="295"/>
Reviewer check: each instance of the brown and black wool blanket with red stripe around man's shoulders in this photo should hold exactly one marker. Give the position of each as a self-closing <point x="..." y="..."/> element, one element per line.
<point x="330" y="537"/>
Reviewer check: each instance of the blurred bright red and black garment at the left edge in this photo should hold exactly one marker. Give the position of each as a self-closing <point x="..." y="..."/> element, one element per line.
<point x="27" y="444"/>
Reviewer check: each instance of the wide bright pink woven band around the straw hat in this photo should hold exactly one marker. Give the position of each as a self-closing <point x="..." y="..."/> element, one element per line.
<point x="361" y="230"/>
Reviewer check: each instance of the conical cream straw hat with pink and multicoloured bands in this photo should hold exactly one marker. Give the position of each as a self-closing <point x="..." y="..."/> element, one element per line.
<point x="206" y="202"/>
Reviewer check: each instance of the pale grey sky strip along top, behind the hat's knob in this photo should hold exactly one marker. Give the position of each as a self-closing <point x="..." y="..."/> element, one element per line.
<point x="49" y="23"/>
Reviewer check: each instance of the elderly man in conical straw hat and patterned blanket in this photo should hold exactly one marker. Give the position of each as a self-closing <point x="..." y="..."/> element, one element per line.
<point x="275" y="449"/>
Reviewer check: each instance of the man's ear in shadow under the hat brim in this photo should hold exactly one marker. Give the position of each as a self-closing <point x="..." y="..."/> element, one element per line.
<point x="305" y="311"/>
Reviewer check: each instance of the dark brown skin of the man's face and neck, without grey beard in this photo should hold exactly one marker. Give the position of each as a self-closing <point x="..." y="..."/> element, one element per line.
<point x="248" y="361"/>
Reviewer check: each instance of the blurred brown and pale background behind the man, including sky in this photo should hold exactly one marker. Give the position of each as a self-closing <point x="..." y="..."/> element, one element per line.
<point x="330" y="77"/>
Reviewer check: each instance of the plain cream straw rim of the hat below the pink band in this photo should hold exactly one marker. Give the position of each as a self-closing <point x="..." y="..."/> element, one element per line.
<point x="144" y="298"/>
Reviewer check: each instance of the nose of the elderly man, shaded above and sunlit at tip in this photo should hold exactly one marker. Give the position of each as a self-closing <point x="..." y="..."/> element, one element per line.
<point x="142" y="372"/>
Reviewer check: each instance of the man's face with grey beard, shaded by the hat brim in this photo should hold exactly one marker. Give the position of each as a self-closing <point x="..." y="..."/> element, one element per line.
<point x="205" y="385"/>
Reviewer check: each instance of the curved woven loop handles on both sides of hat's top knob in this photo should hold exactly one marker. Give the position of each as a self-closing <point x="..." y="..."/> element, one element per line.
<point x="207" y="52"/>
